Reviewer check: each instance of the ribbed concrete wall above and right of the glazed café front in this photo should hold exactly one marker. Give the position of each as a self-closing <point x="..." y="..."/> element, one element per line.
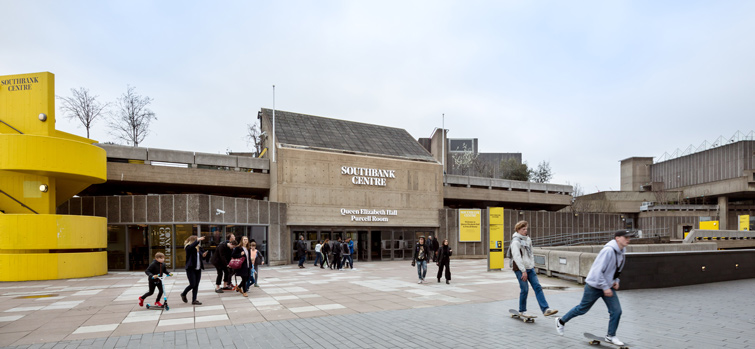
<point x="189" y="209"/>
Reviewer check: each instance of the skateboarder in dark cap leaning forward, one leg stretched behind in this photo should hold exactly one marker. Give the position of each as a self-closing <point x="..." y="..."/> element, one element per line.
<point x="603" y="282"/>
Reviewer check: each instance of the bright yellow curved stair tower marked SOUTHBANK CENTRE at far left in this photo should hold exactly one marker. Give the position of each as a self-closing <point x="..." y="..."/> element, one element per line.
<point x="40" y="168"/>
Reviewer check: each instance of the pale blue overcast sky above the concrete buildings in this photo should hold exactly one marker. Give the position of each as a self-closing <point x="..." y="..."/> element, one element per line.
<point x="579" y="84"/>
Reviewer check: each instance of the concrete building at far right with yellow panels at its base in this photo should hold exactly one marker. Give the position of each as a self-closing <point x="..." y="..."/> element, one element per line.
<point x="672" y="197"/>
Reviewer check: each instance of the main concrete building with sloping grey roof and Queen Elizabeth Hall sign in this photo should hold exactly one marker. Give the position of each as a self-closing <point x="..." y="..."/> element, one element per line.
<point x="321" y="178"/>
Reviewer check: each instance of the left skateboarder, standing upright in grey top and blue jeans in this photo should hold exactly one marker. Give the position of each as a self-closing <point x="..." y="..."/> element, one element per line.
<point x="524" y="268"/>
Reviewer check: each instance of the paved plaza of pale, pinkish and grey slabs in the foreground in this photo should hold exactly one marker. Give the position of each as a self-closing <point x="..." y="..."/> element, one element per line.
<point x="377" y="305"/>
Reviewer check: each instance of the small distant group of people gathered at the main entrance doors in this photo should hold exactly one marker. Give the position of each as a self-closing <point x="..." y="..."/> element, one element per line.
<point x="336" y="255"/>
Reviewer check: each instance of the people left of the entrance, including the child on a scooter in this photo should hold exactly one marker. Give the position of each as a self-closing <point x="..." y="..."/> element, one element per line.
<point x="248" y="260"/>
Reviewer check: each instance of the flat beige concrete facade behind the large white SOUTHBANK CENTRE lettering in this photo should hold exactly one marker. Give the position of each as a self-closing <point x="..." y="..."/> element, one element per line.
<point x="313" y="186"/>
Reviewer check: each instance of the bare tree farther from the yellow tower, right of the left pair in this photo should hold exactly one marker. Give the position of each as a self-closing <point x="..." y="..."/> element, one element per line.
<point x="131" y="118"/>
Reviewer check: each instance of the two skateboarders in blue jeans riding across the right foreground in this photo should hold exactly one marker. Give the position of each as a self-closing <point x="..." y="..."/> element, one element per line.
<point x="602" y="280"/>
